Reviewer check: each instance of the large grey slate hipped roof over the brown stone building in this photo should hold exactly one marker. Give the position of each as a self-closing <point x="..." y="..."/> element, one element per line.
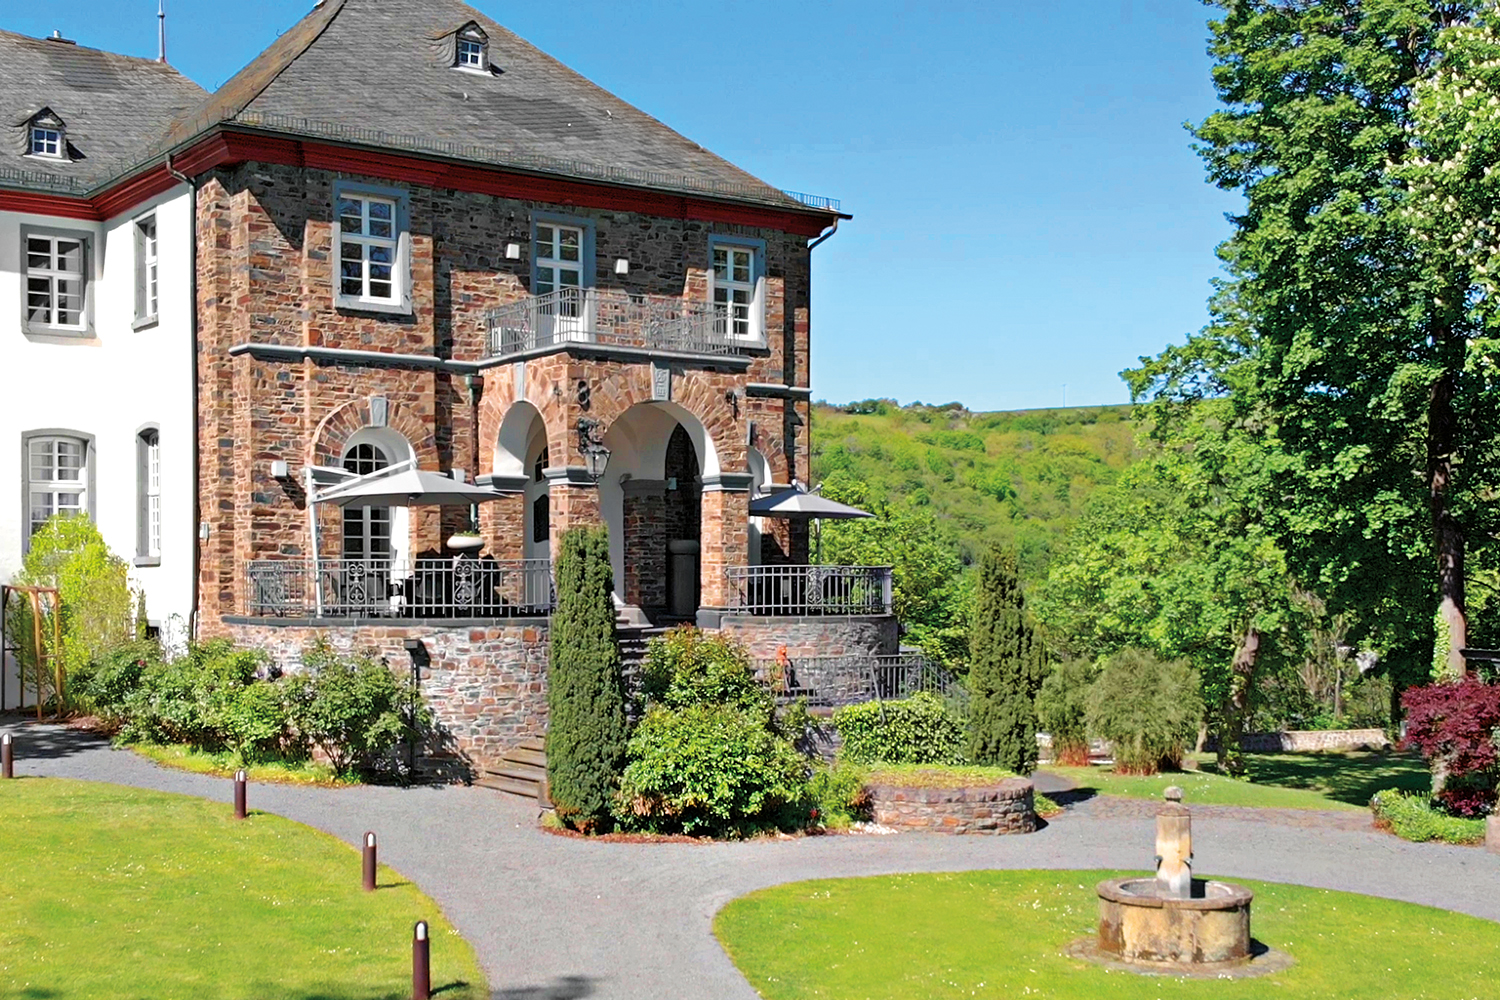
<point x="380" y="73"/>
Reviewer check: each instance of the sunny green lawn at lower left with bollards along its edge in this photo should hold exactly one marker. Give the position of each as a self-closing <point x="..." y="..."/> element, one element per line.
<point x="121" y="894"/>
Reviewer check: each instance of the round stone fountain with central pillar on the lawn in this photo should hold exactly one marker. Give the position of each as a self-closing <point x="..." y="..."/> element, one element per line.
<point x="1177" y="924"/>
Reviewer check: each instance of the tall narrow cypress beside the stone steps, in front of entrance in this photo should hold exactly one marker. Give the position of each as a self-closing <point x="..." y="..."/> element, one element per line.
<point x="586" y="692"/>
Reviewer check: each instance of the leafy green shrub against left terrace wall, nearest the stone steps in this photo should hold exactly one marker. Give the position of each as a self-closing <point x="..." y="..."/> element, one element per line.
<point x="352" y="708"/>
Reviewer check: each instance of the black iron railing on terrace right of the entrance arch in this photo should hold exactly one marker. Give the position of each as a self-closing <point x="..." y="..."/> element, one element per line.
<point x="817" y="590"/>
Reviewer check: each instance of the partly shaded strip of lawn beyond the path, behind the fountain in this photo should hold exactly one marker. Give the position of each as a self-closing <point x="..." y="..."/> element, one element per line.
<point x="1286" y="782"/>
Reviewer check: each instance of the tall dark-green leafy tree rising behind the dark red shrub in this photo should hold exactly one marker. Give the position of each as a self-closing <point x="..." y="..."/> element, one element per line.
<point x="1349" y="349"/>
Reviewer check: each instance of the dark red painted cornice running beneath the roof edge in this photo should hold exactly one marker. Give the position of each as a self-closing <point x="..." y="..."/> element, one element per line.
<point x="224" y="149"/>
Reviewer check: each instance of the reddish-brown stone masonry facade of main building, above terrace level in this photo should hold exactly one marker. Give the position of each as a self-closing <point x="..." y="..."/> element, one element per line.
<point x="266" y="272"/>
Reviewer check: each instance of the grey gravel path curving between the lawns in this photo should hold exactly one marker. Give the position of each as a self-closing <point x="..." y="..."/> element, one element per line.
<point x="557" y="918"/>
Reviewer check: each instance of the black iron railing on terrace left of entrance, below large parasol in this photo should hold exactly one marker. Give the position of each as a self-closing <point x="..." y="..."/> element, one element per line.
<point x="386" y="588"/>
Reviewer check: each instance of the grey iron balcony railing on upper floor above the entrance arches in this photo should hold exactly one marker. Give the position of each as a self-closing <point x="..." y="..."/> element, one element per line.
<point x="610" y="317"/>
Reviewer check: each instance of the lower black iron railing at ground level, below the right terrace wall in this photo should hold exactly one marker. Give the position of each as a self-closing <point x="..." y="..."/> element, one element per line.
<point x="838" y="681"/>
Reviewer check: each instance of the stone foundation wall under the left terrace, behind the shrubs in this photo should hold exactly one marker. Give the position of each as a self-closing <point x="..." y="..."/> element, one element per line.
<point x="485" y="683"/>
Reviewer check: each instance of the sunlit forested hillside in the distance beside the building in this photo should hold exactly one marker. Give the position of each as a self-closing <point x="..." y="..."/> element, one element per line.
<point x="1021" y="478"/>
